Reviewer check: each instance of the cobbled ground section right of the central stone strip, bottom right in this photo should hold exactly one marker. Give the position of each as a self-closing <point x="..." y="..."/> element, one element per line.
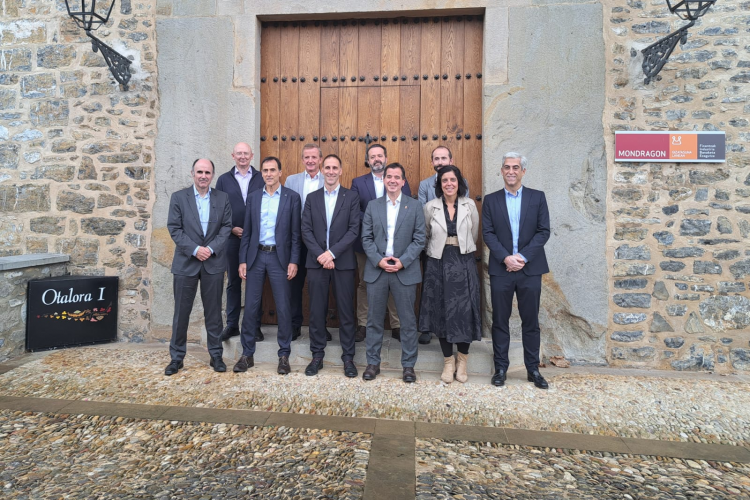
<point x="469" y="471"/>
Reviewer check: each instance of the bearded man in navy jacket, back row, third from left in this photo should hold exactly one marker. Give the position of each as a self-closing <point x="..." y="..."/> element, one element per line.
<point x="369" y="187"/>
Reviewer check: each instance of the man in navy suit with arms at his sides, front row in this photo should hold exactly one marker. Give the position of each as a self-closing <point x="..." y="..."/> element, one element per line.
<point x="269" y="247"/>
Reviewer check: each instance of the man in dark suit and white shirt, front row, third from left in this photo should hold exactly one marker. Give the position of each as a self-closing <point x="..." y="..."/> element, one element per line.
<point x="330" y="226"/>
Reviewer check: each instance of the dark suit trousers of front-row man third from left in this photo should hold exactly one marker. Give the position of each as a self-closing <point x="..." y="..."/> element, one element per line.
<point x="318" y="283"/>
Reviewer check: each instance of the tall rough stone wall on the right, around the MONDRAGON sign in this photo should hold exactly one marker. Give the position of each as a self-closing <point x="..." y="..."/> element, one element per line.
<point x="678" y="234"/>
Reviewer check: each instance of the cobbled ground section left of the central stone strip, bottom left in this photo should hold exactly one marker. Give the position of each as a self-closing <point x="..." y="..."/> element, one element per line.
<point x="76" y="457"/>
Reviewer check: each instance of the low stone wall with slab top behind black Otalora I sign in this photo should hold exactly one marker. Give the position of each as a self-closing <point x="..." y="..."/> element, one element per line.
<point x="15" y="274"/>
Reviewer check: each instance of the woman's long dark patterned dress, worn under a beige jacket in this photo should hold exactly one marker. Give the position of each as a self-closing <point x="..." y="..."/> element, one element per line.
<point x="450" y="293"/>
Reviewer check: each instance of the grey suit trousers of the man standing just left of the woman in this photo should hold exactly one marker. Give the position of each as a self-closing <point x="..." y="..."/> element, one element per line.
<point x="377" y="293"/>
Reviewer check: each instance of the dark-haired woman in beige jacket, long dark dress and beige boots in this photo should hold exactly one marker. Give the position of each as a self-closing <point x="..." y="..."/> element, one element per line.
<point x="450" y="288"/>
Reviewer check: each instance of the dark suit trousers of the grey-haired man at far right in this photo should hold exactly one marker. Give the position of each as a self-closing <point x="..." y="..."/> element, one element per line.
<point x="528" y="290"/>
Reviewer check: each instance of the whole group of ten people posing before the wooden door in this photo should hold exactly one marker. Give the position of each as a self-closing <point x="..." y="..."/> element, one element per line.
<point x="315" y="229"/>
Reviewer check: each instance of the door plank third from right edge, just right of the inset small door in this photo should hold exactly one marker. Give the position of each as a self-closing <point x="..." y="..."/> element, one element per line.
<point x="431" y="40"/>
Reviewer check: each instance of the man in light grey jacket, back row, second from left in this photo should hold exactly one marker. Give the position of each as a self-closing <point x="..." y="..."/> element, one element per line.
<point x="303" y="184"/>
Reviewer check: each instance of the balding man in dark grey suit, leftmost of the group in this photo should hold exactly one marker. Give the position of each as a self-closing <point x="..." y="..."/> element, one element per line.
<point x="199" y="221"/>
